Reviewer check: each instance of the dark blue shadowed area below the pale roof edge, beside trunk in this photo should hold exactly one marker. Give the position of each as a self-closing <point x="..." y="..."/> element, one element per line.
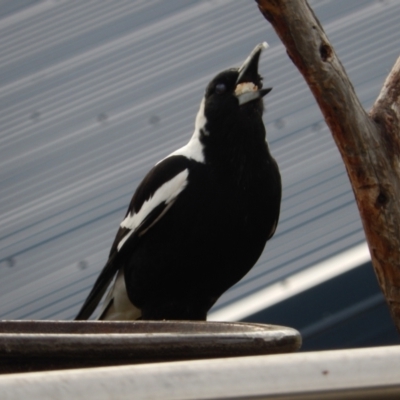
<point x="338" y="313"/>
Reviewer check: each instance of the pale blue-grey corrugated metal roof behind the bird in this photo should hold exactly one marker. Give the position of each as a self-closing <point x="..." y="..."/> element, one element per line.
<point x="92" y="94"/>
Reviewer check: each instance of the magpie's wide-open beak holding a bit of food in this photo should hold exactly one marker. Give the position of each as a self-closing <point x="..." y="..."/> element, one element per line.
<point x="247" y="82"/>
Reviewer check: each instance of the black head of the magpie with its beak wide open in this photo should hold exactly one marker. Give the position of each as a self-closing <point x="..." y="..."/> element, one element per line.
<point x="235" y="94"/>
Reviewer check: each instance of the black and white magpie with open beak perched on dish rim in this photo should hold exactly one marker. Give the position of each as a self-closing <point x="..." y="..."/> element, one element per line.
<point x="201" y="217"/>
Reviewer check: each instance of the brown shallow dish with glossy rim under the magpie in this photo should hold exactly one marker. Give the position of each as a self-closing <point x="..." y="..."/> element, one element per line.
<point x="49" y="345"/>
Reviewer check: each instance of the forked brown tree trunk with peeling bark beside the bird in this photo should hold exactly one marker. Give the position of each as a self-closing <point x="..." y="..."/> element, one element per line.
<point x="368" y="144"/>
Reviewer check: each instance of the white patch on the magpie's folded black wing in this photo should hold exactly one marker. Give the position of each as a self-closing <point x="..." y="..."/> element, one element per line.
<point x="166" y="193"/>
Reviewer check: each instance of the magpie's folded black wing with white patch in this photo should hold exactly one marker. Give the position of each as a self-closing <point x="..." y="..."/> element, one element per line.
<point x="152" y="199"/>
